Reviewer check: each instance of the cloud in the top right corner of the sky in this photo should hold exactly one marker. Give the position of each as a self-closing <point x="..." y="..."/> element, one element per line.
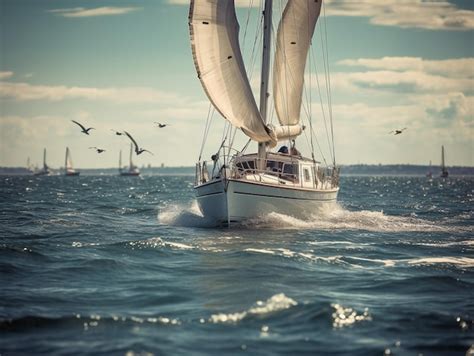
<point x="426" y="14"/>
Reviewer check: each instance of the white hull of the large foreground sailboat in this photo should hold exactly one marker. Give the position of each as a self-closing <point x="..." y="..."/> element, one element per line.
<point x="234" y="200"/>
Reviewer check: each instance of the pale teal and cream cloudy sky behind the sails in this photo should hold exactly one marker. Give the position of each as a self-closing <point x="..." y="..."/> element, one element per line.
<point x="122" y="65"/>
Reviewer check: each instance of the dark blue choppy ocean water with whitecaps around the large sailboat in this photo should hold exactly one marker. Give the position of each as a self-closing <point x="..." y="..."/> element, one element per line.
<point x="110" y="265"/>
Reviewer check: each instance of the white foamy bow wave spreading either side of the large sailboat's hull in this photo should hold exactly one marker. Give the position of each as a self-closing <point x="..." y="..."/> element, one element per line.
<point x="334" y="217"/>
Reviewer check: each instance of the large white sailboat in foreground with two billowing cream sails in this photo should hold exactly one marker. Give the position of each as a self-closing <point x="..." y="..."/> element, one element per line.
<point x="242" y="186"/>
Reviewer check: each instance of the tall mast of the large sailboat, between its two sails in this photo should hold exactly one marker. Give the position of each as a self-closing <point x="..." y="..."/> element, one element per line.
<point x="267" y="31"/>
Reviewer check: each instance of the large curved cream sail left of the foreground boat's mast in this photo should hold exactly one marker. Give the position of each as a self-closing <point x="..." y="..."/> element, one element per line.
<point x="214" y="34"/>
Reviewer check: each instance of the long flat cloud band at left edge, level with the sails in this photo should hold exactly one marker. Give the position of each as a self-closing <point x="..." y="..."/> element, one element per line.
<point x="25" y="92"/>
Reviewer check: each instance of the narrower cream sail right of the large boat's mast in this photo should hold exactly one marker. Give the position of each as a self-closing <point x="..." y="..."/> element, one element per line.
<point x="293" y="40"/>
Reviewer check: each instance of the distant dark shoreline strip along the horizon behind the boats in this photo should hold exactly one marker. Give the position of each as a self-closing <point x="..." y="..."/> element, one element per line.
<point x="353" y="169"/>
